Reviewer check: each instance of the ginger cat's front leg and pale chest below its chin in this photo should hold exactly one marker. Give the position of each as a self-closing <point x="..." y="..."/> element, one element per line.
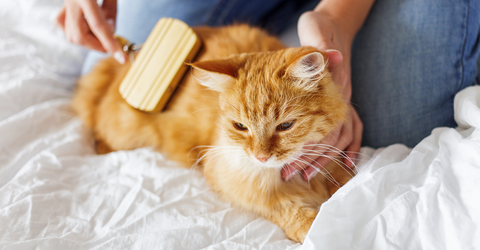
<point x="289" y="205"/>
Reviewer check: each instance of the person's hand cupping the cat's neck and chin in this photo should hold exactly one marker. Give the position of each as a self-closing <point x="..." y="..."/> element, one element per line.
<point x="326" y="33"/>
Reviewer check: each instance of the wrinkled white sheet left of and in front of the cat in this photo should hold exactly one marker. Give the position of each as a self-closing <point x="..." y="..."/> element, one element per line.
<point x="55" y="193"/>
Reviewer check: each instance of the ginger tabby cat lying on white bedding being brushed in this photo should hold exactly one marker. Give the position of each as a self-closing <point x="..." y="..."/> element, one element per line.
<point x="252" y="103"/>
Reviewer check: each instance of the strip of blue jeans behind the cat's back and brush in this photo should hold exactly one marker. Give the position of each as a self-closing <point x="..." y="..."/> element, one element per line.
<point x="136" y="18"/>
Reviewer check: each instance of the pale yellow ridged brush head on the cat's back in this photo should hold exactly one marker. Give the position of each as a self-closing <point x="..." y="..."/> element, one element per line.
<point x="160" y="65"/>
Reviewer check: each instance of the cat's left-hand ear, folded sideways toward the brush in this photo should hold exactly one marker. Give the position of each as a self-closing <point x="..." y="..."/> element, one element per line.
<point x="217" y="75"/>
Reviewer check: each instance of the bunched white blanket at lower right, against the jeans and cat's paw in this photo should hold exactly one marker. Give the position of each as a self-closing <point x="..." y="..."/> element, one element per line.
<point x="425" y="198"/>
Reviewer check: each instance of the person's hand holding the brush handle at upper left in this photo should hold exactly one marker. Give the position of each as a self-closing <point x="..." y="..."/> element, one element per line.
<point x="87" y="24"/>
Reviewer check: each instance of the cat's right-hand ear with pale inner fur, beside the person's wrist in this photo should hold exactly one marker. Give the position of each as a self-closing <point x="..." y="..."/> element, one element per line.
<point x="308" y="69"/>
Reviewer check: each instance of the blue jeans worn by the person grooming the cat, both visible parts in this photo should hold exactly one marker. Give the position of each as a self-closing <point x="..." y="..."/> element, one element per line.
<point x="408" y="61"/>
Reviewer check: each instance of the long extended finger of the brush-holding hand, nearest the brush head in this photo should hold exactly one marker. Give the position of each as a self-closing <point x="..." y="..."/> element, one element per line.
<point x="101" y="29"/>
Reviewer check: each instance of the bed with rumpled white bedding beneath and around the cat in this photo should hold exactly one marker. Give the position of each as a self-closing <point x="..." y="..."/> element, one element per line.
<point x="56" y="193"/>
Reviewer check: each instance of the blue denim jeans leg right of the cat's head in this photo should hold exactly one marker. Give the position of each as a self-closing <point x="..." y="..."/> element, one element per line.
<point x="408" y="62"/>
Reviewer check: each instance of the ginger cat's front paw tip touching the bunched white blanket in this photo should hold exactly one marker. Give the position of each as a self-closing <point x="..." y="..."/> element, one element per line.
<point x="298" y="230"/>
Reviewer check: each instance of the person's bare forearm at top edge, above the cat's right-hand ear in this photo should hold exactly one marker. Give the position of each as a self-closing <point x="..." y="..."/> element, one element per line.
<point x="349" y="14"/>
